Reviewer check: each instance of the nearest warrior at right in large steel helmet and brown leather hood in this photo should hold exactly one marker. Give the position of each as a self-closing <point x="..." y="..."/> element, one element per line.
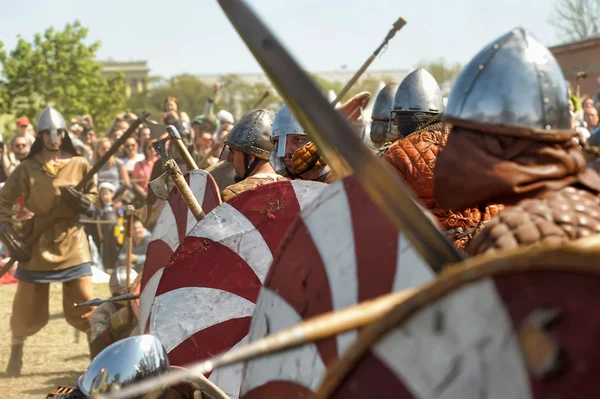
<point x="512" y="143"/>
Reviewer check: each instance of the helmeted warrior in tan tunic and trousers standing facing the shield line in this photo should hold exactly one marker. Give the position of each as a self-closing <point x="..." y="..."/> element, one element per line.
<point x="47" y="178"/>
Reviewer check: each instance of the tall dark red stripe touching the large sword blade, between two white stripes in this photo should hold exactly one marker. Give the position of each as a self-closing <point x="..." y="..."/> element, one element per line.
<point x="375" y="243"/>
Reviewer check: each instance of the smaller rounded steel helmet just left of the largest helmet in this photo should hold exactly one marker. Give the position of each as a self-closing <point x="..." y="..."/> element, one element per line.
<point x="418" y="92"/>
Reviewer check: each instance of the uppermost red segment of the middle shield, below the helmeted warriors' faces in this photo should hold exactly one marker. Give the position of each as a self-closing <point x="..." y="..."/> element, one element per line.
<point x="271" y="208"/>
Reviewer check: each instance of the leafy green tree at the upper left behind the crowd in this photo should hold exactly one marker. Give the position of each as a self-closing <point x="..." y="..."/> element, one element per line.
<point x="57" y="68"/>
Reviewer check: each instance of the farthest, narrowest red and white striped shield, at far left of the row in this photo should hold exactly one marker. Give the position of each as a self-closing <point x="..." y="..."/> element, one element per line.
<point x="174" y="223"/>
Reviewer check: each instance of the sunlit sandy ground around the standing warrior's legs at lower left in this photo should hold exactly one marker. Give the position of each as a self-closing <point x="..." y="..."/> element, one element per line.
<point x="52" y="357"/>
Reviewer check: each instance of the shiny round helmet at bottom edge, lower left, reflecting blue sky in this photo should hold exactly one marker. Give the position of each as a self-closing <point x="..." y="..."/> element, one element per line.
<point x="124" y="363"/>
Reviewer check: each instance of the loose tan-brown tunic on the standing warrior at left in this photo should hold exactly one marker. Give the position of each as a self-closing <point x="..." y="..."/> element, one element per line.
<point x="64" y="244"/>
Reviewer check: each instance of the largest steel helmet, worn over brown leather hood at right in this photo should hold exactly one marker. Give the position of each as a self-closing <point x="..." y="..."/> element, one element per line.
<point x="514" y="82"/>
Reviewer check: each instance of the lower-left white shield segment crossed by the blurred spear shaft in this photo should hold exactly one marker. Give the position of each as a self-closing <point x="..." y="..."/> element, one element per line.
<point x="301" y="365"/>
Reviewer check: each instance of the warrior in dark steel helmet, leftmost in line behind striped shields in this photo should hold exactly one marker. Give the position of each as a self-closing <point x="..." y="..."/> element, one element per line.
<point x="249" y="149"/>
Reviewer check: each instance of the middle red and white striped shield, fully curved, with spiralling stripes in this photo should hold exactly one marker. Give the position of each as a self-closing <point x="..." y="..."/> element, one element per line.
<point x="207" y="293"/>
